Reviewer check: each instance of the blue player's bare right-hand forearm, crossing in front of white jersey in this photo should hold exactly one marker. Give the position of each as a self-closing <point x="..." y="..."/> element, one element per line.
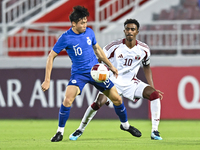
<point x="102" y="57"/>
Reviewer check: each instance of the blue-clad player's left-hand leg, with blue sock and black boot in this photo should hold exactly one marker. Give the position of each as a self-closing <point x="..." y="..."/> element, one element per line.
<point x="70" y="94"/>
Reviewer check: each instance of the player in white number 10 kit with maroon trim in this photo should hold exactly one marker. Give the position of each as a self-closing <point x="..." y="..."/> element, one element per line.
<point x="126" y="55"/>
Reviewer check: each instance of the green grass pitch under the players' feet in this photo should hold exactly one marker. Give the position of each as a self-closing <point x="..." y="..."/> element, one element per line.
<point x="99" y="135"/>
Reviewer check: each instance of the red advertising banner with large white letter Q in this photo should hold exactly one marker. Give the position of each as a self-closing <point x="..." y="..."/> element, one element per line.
<point x="181" y="87"/>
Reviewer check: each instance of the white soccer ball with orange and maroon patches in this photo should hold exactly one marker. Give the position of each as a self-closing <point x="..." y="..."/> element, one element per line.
<point x="100" y="72"/>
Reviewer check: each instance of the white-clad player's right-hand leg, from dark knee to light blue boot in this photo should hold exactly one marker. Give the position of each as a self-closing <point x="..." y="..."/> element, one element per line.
<point x="151" y="94"/>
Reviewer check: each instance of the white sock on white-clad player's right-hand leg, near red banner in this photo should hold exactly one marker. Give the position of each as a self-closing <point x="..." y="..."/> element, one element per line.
<point x="155" y="113"/>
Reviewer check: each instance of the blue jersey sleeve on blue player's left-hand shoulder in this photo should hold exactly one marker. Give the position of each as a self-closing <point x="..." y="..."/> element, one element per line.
<point x="60" y="44"/>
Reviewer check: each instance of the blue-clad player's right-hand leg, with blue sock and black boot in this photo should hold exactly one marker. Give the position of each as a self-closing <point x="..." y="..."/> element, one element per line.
<point x="120" y="110"/>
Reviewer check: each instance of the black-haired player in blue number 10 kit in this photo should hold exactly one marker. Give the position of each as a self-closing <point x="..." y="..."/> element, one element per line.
<point x="81" y="46"/>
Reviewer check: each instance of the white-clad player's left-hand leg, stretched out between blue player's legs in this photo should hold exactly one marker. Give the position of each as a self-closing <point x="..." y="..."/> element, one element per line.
<point x="89" y="114"/>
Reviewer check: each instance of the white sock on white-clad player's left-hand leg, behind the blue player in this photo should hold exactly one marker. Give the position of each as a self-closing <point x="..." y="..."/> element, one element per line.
<point x="89" y="114"/>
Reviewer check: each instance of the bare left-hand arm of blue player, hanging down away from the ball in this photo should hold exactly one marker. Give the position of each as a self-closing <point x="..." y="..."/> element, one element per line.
<point x="49" y="64"/>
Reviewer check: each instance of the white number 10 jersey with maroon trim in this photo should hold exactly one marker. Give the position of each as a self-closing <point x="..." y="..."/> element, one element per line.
<point x="126" y="60"/>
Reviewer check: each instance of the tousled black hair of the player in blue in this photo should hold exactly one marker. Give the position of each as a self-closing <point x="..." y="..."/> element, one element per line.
<point x="79" y="12"/>
